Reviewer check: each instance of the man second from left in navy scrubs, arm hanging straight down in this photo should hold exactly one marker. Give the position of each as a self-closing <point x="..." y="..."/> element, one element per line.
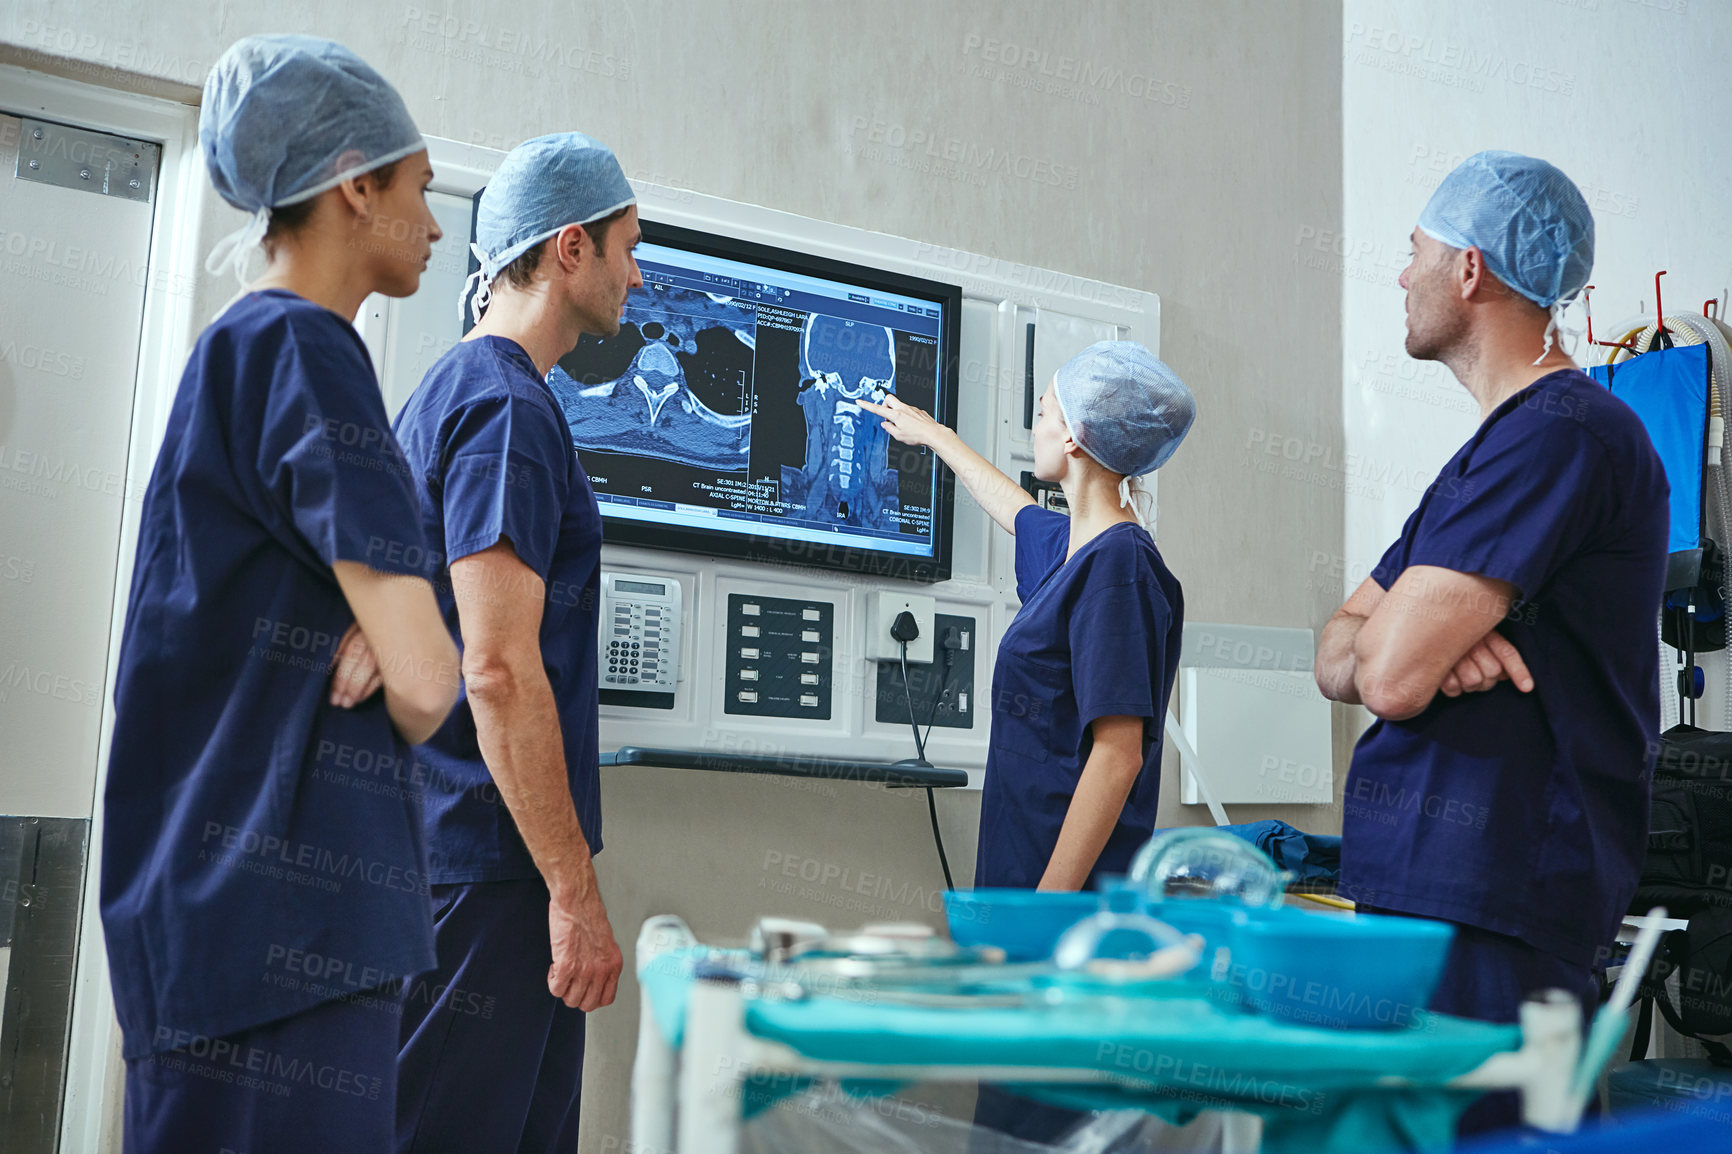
<point x="514" y="800"/>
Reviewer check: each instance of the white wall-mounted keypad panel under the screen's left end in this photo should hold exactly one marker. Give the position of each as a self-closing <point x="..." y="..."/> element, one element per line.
<point x="640" y="640"/>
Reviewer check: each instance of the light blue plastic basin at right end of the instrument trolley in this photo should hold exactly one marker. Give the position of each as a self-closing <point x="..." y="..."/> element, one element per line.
<point x="1360" y="973"/>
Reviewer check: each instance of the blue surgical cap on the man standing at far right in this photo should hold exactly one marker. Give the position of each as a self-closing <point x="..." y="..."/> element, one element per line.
<point x="1527" y="217"/>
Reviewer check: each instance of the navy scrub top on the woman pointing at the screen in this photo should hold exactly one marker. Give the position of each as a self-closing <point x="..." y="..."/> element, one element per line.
<point x="1097" y="637"/>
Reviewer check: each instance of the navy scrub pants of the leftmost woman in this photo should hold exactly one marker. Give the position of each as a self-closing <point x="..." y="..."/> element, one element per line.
<point x="321" y="1080"/>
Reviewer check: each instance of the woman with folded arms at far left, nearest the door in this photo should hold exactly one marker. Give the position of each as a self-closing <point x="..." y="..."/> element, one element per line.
<point x="264" y="883"/>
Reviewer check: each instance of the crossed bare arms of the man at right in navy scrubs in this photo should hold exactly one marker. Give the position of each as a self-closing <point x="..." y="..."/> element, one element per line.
<point x="1435" y="632"/>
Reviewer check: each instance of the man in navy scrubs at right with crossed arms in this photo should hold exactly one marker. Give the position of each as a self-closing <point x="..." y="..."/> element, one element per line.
<point x="1506" y="640"/>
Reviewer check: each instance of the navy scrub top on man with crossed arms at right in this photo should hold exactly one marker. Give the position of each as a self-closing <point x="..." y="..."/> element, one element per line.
<point x="1527" y="814"/>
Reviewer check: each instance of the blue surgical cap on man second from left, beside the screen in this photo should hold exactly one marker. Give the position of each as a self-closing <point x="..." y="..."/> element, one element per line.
<point x="543" y="186"/>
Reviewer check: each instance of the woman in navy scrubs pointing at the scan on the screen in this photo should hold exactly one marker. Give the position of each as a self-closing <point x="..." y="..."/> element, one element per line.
<point x="1085" y="671"/>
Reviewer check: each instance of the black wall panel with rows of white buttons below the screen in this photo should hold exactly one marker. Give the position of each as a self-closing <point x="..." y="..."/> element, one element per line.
<point x="779" y="658"/>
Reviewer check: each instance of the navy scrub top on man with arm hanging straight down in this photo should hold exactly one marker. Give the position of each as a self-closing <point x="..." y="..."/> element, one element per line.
<point x="496" y="462"/>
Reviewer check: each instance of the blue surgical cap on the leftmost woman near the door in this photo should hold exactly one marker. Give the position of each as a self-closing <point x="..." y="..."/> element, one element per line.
<point x="287" y="119"/>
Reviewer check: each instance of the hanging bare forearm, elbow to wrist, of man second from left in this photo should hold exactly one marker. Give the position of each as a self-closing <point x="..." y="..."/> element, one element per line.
<point x="517" y="727"/>
